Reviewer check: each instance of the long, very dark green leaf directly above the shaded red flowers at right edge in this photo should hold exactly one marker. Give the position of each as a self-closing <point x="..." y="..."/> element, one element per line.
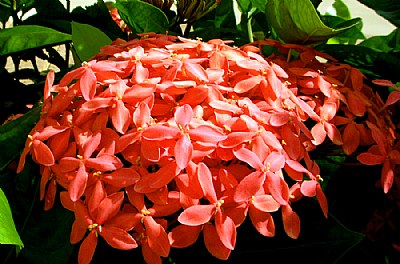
<point x="375" y="64"/>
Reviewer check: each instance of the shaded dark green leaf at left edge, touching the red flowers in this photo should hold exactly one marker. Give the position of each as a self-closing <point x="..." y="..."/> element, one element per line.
<point x="13" y="136"/>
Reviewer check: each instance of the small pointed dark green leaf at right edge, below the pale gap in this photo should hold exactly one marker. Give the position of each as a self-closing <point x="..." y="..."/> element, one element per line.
<point x="389" y="43"/>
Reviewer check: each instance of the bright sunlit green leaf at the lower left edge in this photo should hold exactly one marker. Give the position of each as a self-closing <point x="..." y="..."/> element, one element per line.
<point x="8" y="233"/>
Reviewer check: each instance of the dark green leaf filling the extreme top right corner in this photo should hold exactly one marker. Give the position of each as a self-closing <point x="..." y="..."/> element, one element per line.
<point x="389" y="9"/>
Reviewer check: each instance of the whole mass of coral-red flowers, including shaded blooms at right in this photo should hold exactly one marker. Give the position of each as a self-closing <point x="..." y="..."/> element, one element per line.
<point x="161" y="138"/>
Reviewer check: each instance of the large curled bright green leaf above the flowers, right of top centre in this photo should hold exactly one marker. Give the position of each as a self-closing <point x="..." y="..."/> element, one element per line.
<point x="297" y="21"/>
